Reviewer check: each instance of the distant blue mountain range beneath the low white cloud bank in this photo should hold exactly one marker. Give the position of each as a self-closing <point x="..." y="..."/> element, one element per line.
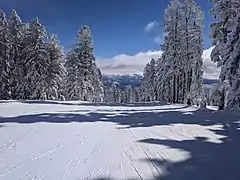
<point x="135" y="80"/>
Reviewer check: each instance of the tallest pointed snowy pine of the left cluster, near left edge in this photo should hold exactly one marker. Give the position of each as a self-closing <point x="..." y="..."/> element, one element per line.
<point x="16" y="35"/>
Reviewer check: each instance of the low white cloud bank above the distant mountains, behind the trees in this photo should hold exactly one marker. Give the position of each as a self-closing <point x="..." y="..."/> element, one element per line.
<point x="134" y="64"/>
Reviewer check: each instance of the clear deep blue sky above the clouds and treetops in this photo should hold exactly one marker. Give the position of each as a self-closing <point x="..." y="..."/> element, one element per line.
<point x="118" y="26"/>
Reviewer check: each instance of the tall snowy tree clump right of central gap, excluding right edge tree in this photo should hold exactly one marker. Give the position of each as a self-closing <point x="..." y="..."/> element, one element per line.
<point x="177" y="76"/>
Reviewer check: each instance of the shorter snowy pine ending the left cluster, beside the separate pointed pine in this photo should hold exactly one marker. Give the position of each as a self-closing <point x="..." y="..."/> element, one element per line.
<point x="55" y="69"/>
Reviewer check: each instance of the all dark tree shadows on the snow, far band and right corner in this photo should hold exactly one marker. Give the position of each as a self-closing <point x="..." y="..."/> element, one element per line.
<point x="208" y="160"/>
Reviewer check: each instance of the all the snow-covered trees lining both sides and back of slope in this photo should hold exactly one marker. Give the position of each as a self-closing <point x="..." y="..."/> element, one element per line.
<point x="32" y="64"/>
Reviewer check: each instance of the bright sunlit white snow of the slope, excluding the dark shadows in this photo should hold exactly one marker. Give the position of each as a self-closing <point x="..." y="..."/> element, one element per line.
<point x="87" y="150"/>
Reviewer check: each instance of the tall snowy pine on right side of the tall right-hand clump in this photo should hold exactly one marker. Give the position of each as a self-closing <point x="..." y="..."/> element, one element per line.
<point x="194" y="49"/>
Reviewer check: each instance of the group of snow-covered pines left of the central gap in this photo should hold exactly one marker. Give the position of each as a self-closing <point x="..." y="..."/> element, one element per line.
<point x="32" y="64"/>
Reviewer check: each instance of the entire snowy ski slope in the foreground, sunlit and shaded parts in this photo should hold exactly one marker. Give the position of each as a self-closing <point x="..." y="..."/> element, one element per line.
<point x="50" y="140"/>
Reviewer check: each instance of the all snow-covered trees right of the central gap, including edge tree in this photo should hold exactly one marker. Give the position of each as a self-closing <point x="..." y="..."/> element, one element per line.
<point x="178" y="75"/>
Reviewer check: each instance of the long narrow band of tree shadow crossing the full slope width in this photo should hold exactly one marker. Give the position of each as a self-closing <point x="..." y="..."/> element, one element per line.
<point x="204" y="117"/>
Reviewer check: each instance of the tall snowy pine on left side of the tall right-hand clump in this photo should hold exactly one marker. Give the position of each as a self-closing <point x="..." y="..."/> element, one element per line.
<point x="172" y="46"/>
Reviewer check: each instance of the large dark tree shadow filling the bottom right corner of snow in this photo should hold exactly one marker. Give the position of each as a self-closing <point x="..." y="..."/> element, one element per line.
<point x="208" y="160"/>
